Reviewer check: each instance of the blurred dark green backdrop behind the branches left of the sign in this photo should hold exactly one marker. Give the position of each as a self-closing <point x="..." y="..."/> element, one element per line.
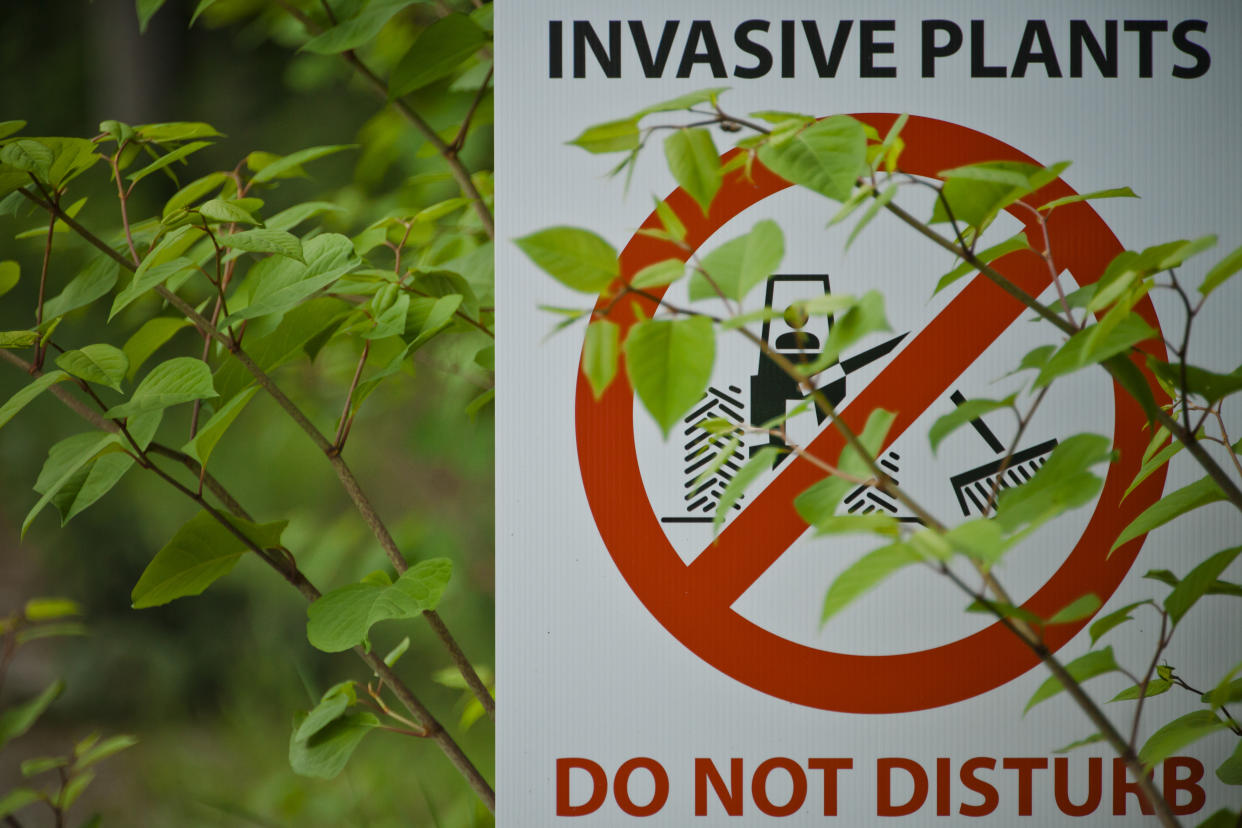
<point x="211" y="685"/>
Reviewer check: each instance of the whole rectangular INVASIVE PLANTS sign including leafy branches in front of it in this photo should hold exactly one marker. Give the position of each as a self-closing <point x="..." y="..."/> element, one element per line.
<point x="860" y="457"/>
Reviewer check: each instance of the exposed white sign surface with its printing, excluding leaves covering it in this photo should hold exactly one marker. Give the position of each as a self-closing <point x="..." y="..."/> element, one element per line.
<point x="656" y="668"/>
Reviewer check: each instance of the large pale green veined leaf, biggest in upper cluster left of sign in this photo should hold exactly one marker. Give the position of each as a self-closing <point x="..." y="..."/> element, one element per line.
<point x="283" y="284"/>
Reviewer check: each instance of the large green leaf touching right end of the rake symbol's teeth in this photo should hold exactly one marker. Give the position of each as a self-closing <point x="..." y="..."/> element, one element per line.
<point x="1064" y="482"/>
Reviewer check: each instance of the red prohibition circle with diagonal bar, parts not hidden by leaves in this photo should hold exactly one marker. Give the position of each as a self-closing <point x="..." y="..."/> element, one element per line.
<point x="694" y="600"/>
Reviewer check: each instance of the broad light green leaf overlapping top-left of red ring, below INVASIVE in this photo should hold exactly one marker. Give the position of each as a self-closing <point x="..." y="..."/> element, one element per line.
<point x="827" y="157"/>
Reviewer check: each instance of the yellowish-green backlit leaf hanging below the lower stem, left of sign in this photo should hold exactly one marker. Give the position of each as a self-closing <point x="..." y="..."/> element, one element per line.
<point x="202" y="552"/>
